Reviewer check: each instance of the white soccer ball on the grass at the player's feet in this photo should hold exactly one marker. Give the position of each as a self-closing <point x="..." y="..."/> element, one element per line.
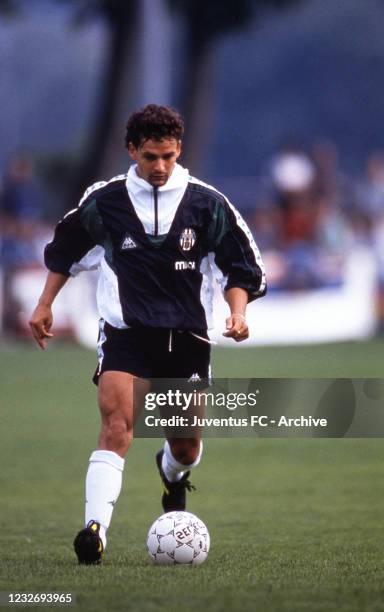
<point x="178" y="538"/>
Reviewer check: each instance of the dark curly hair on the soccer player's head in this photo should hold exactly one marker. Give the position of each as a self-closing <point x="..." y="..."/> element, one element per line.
<point x="156" y="122"/>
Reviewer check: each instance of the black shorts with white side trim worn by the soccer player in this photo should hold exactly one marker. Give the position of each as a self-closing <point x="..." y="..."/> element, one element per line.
<point x="155" y="353"/>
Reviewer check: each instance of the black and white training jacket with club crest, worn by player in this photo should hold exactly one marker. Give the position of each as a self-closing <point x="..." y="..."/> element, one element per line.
<point x="159" y="250"/>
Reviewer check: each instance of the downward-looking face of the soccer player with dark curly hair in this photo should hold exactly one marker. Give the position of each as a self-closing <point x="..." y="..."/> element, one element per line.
<point x="156" y="159"/>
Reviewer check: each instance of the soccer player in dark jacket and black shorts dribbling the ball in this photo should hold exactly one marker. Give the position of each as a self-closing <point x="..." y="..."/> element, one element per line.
<point x="160" y="239"/>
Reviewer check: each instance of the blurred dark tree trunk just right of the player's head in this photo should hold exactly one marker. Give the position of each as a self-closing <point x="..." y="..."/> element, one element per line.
<point x="204" y="22"/>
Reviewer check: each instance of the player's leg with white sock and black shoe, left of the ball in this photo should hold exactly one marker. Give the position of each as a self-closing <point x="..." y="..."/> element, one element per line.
<point x="104" y="477"/>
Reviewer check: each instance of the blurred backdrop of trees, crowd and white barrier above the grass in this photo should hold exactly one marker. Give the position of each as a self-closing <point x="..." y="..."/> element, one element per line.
<point x="283" y="105"/>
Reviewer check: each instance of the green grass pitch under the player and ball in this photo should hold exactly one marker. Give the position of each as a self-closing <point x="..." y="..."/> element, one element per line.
<point x="296" y="524"/>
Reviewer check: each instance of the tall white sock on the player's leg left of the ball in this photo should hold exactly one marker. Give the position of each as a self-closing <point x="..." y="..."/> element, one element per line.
<point x="102" y="488"/>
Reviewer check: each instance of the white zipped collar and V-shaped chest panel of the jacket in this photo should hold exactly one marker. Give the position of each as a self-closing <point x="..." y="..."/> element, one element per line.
<point x="141" y="194"/>
